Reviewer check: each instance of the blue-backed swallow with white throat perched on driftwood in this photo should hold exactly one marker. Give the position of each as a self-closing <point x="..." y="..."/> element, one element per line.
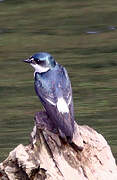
<point x="53" y="87"/>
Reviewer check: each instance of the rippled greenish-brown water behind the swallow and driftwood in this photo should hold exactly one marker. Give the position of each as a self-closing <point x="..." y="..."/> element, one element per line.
<point x="82" y="36"/>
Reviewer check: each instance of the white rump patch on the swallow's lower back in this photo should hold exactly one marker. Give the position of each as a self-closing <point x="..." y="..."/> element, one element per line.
<point x="62" y="105"/>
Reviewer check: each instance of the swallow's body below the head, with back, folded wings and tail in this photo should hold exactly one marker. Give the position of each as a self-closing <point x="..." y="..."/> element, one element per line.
<point x="55" y="93"/>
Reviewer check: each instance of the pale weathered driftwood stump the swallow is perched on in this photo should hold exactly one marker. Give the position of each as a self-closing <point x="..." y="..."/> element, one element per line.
<point x="89" y="157"/>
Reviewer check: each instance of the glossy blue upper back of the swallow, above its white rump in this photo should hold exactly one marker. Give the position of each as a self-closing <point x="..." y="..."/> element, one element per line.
<point x="53" y="86"/>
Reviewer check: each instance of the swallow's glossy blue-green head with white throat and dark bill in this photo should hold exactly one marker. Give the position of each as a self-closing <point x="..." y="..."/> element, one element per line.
<point x="41" y="62"/>
